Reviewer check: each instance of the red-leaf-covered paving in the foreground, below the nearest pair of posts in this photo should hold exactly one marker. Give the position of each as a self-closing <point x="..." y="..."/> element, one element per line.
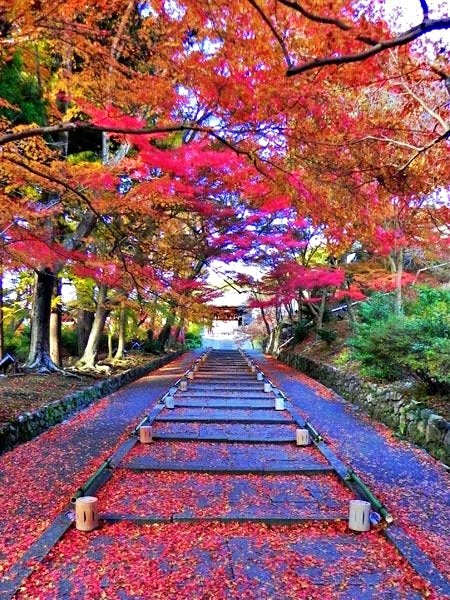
<point x="223" y="561"/>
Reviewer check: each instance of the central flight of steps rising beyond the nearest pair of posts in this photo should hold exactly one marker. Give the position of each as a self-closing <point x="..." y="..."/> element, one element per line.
<point x="224" y="453"/>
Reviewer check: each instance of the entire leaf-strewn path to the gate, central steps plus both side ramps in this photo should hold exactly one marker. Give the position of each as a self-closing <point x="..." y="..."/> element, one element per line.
<point x="223" y="503"/>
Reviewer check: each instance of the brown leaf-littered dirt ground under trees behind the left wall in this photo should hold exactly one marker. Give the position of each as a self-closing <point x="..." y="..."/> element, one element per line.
<point x="21" y="392"/>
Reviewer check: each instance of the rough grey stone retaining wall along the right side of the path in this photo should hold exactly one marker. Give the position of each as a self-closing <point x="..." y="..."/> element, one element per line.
<point x="389" y="404"/>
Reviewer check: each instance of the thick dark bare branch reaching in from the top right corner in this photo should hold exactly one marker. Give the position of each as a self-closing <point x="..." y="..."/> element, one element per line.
<point x="401" y="40"/>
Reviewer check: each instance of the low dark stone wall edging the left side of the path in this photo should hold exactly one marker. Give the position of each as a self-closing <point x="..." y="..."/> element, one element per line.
<point x="30" y="424"/>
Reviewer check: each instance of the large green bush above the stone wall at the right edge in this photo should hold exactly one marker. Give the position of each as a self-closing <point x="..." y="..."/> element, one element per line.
<point x="389" y="346"/>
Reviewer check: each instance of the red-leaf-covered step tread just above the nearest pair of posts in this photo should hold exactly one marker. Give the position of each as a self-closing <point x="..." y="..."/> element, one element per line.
<point x="163" y="494"/>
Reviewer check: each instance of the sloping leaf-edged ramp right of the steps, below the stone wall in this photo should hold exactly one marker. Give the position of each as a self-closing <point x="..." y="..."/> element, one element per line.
<point x="414" y="486"/>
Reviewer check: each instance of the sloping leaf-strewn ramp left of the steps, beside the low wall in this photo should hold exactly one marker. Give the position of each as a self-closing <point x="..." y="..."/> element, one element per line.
<point x="38" y="478"/>
